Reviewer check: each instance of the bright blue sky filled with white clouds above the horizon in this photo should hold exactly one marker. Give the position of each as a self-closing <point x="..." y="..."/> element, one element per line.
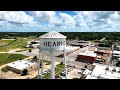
<point x="62" y="21"/>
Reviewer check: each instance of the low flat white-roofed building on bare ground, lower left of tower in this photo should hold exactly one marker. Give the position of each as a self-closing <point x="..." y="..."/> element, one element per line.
<point x="20" y="65"/>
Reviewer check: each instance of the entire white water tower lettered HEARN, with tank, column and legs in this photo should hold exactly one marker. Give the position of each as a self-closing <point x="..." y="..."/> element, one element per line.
<point x="52" y="42"/>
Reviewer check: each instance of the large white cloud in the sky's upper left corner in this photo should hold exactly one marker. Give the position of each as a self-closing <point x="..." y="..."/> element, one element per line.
<point x="16" y="17"/>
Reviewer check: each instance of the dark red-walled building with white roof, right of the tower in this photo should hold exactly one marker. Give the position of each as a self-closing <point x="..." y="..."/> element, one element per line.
<point x="88" y="57"/>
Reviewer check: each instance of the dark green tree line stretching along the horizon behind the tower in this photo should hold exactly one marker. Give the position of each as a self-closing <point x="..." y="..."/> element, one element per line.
<point x="70" y="35"/>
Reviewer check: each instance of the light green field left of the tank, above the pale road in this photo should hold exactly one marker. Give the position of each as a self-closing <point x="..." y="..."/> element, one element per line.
<point x="18" y="43"/>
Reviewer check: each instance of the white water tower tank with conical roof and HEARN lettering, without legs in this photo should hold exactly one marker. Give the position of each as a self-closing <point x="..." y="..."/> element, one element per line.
<point x="52" y="40"/>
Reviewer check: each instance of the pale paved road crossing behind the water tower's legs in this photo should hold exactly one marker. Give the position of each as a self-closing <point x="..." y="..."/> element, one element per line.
<point x="70" y="58"/>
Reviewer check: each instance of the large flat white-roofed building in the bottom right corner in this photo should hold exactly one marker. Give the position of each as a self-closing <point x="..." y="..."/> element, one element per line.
<point x="104" y="72"/>
